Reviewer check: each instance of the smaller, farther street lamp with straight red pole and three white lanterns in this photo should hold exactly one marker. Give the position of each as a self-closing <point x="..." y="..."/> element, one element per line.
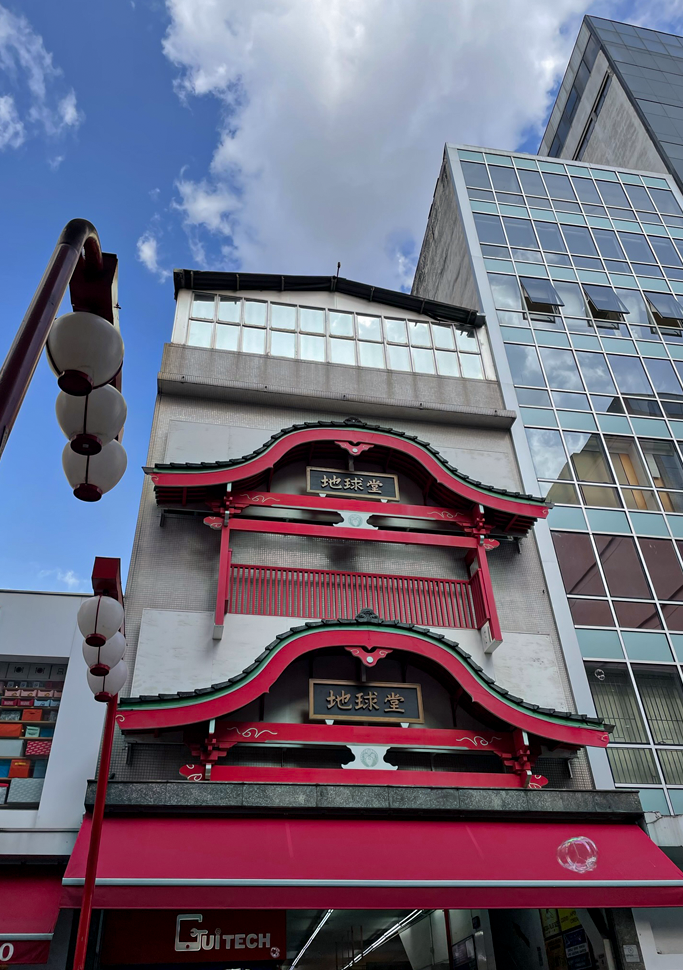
<point x="101" y="620"/>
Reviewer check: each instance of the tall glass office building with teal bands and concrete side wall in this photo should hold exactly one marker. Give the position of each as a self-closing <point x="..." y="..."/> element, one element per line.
<point x="579" y="270"/>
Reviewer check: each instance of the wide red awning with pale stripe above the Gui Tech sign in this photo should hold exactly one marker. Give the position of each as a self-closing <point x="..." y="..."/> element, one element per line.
<point x="276" y="863"/>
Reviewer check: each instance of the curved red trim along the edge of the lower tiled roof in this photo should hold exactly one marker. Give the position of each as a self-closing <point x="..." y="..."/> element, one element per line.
<point x="299" y="645"/>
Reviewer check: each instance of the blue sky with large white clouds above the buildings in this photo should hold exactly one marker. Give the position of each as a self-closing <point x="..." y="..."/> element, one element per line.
<point x="256" y="135"/>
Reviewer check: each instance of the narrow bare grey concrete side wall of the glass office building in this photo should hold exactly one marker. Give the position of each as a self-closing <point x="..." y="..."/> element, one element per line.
<point x="444" y="269"/>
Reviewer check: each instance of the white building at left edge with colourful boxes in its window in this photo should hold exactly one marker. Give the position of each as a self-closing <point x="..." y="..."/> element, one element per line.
<point x="50" y="731"/>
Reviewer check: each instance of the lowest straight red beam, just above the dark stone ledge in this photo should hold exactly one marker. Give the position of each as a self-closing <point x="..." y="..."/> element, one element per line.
<point x="365" y="776"/>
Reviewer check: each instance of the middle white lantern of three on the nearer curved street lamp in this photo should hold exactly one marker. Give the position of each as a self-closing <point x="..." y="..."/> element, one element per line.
<point x="93" y="421"/>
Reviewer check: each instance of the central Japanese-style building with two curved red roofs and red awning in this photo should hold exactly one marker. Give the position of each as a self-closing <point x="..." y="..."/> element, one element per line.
<point x="332" y="487"/>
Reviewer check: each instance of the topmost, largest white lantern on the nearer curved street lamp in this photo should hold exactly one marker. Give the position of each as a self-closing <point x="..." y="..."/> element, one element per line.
<point x="85" y="351"/>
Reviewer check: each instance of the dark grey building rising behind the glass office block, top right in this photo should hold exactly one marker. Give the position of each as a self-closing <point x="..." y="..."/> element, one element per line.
<point x="621" y="100"/>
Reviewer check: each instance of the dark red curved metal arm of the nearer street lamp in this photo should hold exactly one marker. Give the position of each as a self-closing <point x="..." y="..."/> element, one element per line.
<point x="78" y="236"/>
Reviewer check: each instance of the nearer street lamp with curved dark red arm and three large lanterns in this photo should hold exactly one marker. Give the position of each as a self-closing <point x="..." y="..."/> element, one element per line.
<point x="85" y="350"/>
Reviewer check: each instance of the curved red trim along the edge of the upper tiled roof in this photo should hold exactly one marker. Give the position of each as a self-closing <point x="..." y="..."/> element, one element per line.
<point x="280" y="448"/>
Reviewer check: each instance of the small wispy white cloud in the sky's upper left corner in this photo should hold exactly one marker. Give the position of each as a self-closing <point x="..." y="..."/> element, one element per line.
<point x="39" y="103"/>
